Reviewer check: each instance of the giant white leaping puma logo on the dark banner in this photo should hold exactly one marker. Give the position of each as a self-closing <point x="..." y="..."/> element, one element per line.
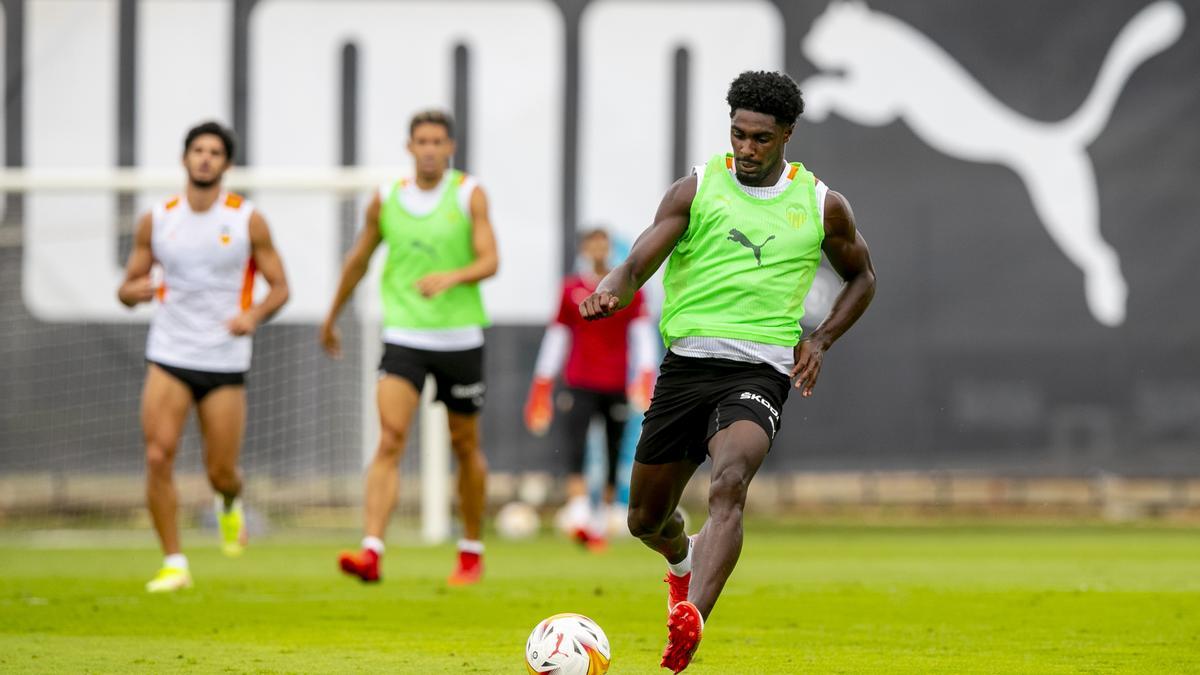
<point x="890" y="70"/>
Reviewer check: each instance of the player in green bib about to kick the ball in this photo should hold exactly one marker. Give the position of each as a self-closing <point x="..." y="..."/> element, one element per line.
<point x="745" y="235"/>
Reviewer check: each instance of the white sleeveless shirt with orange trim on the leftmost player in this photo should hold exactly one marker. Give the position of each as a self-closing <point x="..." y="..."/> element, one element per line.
<point x="208" y="280"/>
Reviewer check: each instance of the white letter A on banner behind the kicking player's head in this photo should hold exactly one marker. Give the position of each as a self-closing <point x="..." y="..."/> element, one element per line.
<point x="628" y="86"/>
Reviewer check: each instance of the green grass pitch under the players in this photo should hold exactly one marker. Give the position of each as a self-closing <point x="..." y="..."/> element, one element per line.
<point x="805" y="600"/>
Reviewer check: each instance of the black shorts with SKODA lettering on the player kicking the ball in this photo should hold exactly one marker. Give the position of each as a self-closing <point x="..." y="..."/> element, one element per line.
<point x="697" y="398"/>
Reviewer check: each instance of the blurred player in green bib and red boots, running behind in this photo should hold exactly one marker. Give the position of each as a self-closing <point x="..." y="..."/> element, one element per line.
<point x="440" y="248"/>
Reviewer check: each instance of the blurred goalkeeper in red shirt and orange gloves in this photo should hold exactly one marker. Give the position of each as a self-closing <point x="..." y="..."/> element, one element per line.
<point x="597" y="373"/>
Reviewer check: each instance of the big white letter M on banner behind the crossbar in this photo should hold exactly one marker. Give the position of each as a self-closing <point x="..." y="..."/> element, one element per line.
<point x="515" y="127"/>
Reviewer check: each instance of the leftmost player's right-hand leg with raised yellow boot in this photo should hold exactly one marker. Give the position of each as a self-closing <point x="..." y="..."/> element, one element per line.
<point x="223" y="417"/>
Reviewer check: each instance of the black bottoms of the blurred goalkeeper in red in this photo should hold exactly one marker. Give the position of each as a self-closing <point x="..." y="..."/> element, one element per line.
<point x="579" y="408"/>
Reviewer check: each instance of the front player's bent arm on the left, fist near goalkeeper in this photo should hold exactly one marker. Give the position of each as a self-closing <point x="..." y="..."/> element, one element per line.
<point x="653" y="247"/>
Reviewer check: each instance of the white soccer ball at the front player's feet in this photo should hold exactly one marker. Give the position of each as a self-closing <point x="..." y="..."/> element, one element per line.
<point x="568" y="644"/>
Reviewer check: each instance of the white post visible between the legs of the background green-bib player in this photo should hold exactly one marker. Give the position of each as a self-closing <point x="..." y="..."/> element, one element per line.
<point x="435" y="468"/>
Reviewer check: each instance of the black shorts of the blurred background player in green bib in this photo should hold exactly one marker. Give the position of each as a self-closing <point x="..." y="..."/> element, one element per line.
<point x="459" y="375"/>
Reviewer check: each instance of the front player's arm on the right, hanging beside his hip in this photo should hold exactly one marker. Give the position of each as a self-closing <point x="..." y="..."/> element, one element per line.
<point x="848" y="253"/>
